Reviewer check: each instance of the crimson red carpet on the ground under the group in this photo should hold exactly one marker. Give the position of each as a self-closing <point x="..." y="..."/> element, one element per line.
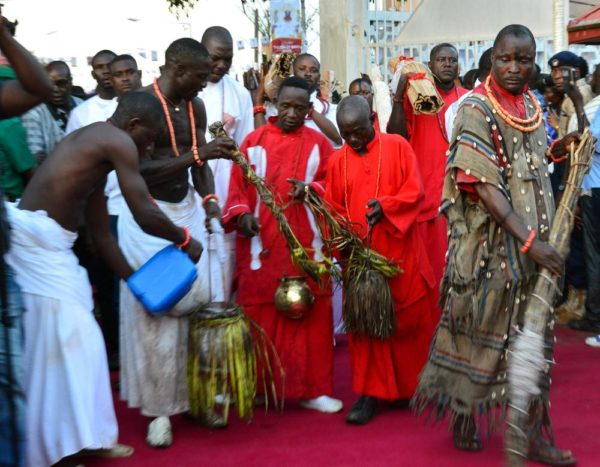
<point x="394" y="438"/>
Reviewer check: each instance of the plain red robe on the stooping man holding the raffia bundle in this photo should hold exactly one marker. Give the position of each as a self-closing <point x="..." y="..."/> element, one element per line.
<point x="388" y="369"/>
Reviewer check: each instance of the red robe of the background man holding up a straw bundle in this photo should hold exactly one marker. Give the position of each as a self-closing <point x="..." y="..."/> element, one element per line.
<point x="427" y="136"/>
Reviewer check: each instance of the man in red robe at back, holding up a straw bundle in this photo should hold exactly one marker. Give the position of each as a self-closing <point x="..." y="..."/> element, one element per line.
<point x="427" y="136"/>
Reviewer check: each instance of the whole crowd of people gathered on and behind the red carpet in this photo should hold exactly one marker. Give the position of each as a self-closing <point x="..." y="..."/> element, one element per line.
<point x="462" y="200"/>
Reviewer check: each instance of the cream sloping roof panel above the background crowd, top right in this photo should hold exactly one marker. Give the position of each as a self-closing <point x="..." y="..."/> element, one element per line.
<point x="473" y="20"/>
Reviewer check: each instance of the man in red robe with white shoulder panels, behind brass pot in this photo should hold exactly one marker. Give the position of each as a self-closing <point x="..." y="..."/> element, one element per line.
<point x="288" y="156"/>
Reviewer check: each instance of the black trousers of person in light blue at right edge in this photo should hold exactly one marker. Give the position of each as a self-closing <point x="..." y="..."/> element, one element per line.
<point x="590" y="206"/>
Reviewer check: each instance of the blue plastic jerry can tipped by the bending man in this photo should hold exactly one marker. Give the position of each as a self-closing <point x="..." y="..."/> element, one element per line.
<point x="163" y="280"/>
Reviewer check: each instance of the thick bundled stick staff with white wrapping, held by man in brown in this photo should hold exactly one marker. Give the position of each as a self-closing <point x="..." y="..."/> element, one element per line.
<point x="527" y="360"/>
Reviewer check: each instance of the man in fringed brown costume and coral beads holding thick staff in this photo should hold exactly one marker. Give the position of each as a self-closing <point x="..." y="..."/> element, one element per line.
<point x="498" y="201"/>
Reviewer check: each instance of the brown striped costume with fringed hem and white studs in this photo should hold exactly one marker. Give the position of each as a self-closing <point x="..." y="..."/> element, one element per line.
<point x="487" y="280"/>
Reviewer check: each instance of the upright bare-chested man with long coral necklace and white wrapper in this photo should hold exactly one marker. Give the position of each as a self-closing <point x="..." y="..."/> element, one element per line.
<point x="154" y="350"/>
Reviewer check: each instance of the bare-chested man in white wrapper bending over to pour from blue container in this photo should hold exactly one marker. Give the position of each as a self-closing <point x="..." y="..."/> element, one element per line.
<point x="69" y="399"/>
